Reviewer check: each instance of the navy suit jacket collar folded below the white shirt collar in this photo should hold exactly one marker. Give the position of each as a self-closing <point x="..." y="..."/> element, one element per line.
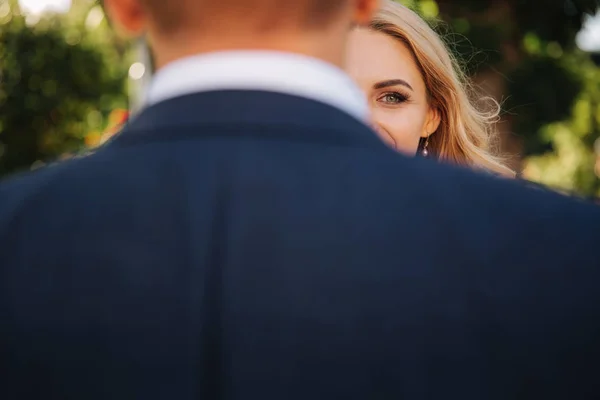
<point x="249" y="114"/>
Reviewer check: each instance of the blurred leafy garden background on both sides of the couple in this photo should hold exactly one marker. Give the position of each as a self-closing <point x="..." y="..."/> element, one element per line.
<point x="67" y="81"/>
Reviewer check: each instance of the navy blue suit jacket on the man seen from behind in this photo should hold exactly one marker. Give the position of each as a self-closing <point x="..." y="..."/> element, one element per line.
<point x="250" y="245"/>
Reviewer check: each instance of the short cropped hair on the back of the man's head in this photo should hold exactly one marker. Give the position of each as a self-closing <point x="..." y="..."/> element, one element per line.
<point x="171" y="14"/>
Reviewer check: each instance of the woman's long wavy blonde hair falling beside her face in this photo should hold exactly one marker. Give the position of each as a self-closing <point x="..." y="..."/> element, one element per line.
<point x="466" y="134"/>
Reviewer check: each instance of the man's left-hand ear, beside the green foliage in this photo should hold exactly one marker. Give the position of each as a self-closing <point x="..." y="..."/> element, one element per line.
<point x="129" y="16"/>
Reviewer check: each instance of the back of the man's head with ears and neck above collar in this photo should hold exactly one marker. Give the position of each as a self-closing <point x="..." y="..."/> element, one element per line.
<point x="212" y="25"/>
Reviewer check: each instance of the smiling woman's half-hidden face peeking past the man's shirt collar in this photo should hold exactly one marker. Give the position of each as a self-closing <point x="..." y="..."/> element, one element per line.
<point x="386" y="71"/>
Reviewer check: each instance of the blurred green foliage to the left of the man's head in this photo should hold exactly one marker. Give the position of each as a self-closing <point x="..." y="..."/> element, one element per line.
<point x="59" y="78"/>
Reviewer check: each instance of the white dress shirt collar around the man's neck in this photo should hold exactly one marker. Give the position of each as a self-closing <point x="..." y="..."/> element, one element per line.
<point x="279" y="72"/>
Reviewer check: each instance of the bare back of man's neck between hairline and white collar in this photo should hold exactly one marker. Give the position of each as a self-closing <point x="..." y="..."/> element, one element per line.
<point x="167" y="52"/>
